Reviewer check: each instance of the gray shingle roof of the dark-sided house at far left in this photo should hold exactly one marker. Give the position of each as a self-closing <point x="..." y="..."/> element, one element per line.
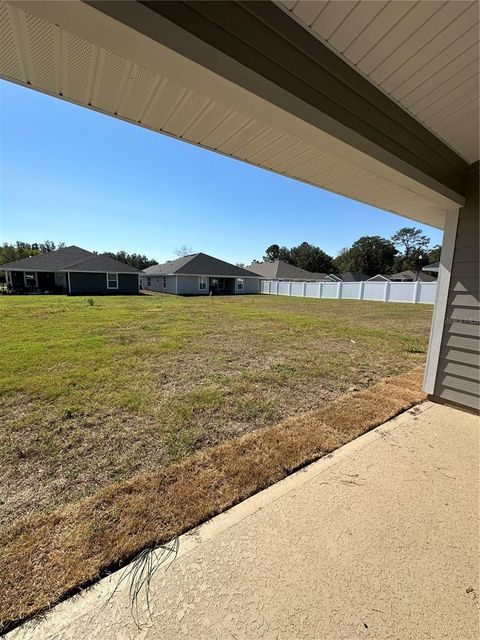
<point x="69" y="259"/>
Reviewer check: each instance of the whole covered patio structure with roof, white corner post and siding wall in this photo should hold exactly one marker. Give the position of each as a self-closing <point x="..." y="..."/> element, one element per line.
<point x="375" y="101"/>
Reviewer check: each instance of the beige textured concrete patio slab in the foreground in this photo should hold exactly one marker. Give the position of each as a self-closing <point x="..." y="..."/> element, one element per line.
<point x="379" y="540"/>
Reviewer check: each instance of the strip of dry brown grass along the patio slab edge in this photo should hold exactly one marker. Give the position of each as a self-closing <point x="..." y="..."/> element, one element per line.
<point x="46" y="556"/>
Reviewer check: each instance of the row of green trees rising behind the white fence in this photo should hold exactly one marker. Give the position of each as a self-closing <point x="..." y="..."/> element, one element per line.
<point x="408" y="248"/>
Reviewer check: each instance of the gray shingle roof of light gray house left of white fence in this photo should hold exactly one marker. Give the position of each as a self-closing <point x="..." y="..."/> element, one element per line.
<point x="199" y="264"/>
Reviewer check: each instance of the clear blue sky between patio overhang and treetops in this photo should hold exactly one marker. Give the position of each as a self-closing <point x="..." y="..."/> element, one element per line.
<point x="73" y="175"/>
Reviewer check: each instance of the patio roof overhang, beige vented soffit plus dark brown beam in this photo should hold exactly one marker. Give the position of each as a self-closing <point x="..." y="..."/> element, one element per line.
<point x="246" y="81"/>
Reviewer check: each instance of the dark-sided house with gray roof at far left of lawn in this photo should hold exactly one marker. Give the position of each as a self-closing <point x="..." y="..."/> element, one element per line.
<point x="71" y="270"/>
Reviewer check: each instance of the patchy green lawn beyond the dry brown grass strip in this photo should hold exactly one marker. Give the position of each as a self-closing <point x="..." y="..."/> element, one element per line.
<point x="94" y="394"/>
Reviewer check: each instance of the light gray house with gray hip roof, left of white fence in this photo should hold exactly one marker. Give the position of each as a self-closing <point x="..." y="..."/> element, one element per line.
<point x="199" y="274"/>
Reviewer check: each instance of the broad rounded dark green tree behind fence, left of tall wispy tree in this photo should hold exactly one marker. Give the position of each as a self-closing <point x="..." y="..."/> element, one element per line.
<point x="369" y="254"/>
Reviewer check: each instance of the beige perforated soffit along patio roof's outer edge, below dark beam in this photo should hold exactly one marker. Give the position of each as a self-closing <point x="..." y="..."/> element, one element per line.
<point x="70" y="50"/>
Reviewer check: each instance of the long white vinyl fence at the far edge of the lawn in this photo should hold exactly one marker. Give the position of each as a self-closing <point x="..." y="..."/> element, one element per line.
<point x="415" y="292"/>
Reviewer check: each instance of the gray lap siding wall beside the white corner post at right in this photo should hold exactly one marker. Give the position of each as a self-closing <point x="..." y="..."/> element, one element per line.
<point x="458" y="374"/>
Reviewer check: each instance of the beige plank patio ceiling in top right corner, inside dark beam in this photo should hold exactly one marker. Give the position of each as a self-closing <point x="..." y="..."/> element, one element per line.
<point x="424" y="55"/>
